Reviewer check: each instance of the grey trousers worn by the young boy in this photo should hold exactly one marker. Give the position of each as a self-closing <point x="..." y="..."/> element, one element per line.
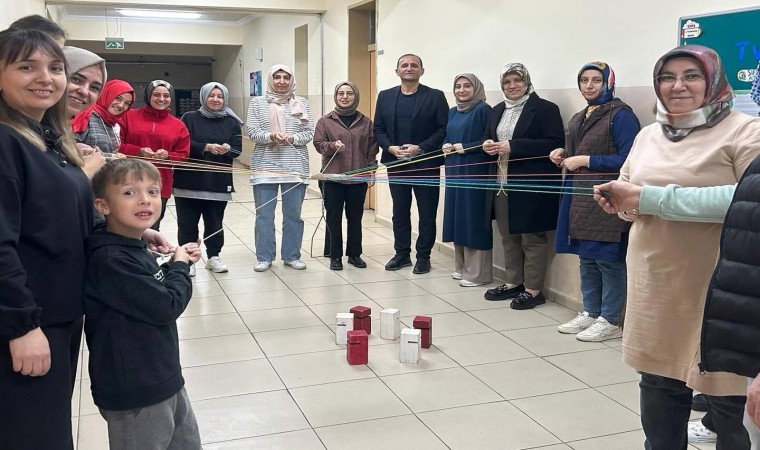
<point x="169" y="425"/>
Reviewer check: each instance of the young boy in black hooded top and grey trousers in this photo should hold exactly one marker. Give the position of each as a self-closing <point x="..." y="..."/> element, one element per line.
<point x="131" y="308"/>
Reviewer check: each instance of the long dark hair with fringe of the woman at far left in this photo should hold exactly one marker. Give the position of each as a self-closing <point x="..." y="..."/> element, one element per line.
<point x="18" y="45"/>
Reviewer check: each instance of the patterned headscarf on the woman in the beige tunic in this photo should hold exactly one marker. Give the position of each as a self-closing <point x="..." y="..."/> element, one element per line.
<point x="718" y="93"/>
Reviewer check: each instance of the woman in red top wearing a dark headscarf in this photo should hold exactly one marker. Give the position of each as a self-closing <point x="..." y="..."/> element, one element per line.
<point x="153" y="132"/>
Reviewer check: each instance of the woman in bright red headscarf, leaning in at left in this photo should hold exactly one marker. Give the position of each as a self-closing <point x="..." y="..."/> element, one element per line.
<point x="98" y="126"/>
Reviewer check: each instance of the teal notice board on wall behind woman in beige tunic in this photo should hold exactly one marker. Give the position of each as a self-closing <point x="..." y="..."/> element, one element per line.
<point x="735" y="35"/>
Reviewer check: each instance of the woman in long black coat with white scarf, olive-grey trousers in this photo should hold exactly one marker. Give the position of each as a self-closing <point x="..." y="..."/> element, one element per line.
<point x="523" y="129"/>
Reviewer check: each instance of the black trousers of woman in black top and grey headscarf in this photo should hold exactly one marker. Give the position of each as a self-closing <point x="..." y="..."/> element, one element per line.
<point x="189" y="212"/>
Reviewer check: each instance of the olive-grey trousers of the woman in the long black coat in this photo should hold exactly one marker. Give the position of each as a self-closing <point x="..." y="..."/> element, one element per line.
<point x="525" y="255"/>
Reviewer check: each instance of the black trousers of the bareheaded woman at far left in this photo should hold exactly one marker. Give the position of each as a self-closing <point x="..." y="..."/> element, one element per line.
<point x="35" y="412"/>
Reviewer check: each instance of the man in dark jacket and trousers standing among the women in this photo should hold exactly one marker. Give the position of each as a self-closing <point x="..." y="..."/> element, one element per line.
<point x="410" y="122"/>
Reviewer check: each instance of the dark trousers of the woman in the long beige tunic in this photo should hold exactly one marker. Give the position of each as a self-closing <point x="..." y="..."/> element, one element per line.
<point x="665" y="409"/>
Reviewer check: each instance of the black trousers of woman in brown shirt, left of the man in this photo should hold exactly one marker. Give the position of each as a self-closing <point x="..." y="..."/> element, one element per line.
<point x="351" y="198"/>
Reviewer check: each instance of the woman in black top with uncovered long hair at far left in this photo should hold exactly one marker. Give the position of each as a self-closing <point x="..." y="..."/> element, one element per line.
<point x="46" y="207"/>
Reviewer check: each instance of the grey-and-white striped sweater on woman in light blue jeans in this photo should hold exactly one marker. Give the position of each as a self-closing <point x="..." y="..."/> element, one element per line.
<point x="271" y="162"/>
